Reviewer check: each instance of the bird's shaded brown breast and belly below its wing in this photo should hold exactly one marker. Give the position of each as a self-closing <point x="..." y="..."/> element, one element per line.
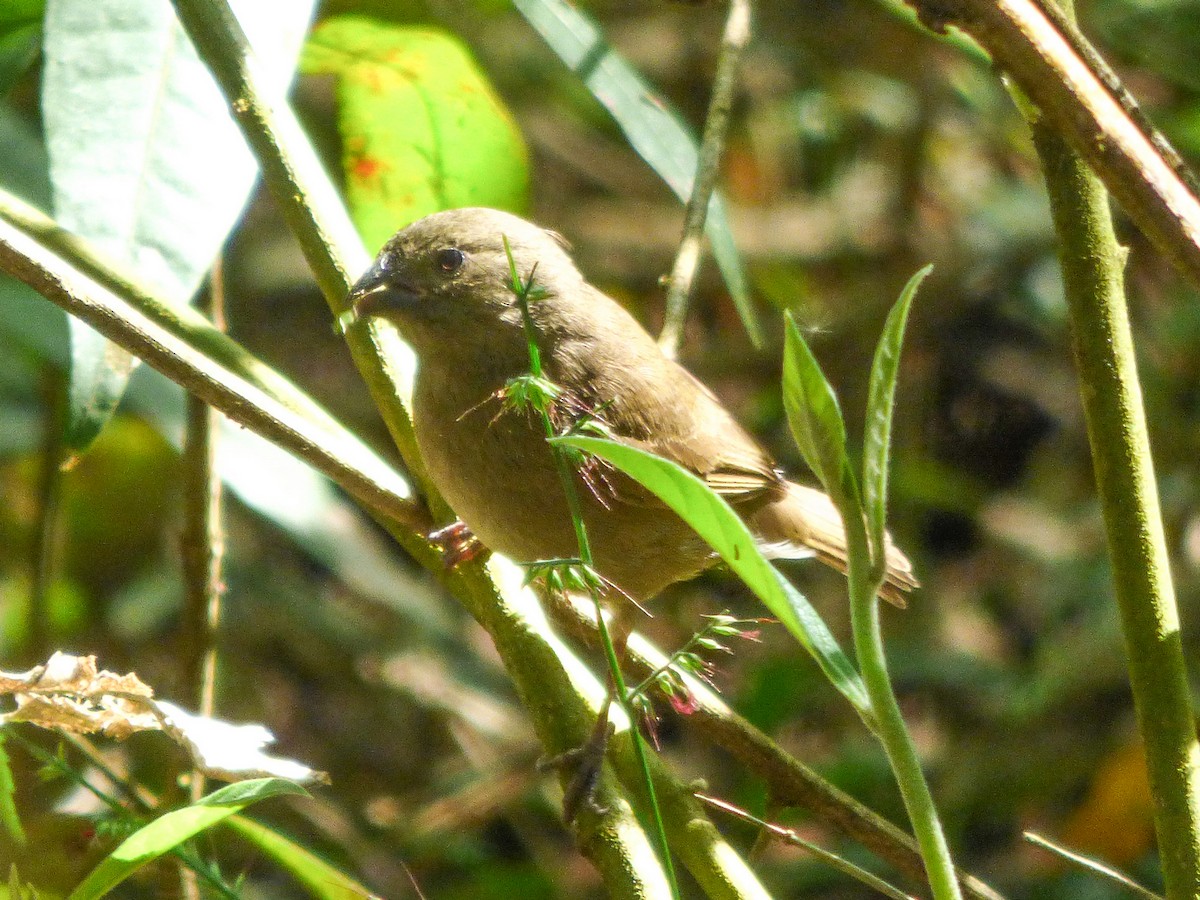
<point x="500" y="477"/>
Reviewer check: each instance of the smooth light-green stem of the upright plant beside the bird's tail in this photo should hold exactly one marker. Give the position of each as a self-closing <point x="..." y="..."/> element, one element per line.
<point x="890" y="725"/>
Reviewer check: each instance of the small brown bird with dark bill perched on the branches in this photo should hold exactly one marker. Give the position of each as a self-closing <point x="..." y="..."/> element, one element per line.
<point x="446" y="284"/>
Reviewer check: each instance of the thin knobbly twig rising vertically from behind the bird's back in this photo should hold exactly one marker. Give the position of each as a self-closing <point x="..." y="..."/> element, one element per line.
<point x="709" y="164"/>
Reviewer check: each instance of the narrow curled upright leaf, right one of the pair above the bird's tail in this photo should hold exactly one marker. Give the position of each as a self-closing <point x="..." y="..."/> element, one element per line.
<point x="880" y="404"/>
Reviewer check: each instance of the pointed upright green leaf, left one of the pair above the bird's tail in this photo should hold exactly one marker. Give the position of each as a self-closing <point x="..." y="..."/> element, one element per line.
<point x="814" y="415"/>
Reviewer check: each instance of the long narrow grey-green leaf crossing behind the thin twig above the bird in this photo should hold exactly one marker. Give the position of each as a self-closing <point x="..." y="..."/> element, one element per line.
<point x="652" y="128"/>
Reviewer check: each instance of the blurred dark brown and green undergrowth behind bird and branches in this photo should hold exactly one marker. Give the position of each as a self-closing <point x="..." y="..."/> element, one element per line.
<point x="861" y="149"/>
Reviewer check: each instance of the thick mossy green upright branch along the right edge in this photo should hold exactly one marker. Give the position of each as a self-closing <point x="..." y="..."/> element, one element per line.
<point x="1093" y="268"/>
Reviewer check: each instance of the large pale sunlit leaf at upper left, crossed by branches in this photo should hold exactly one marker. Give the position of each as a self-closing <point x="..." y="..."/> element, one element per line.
<point x="145" y="159"/>
